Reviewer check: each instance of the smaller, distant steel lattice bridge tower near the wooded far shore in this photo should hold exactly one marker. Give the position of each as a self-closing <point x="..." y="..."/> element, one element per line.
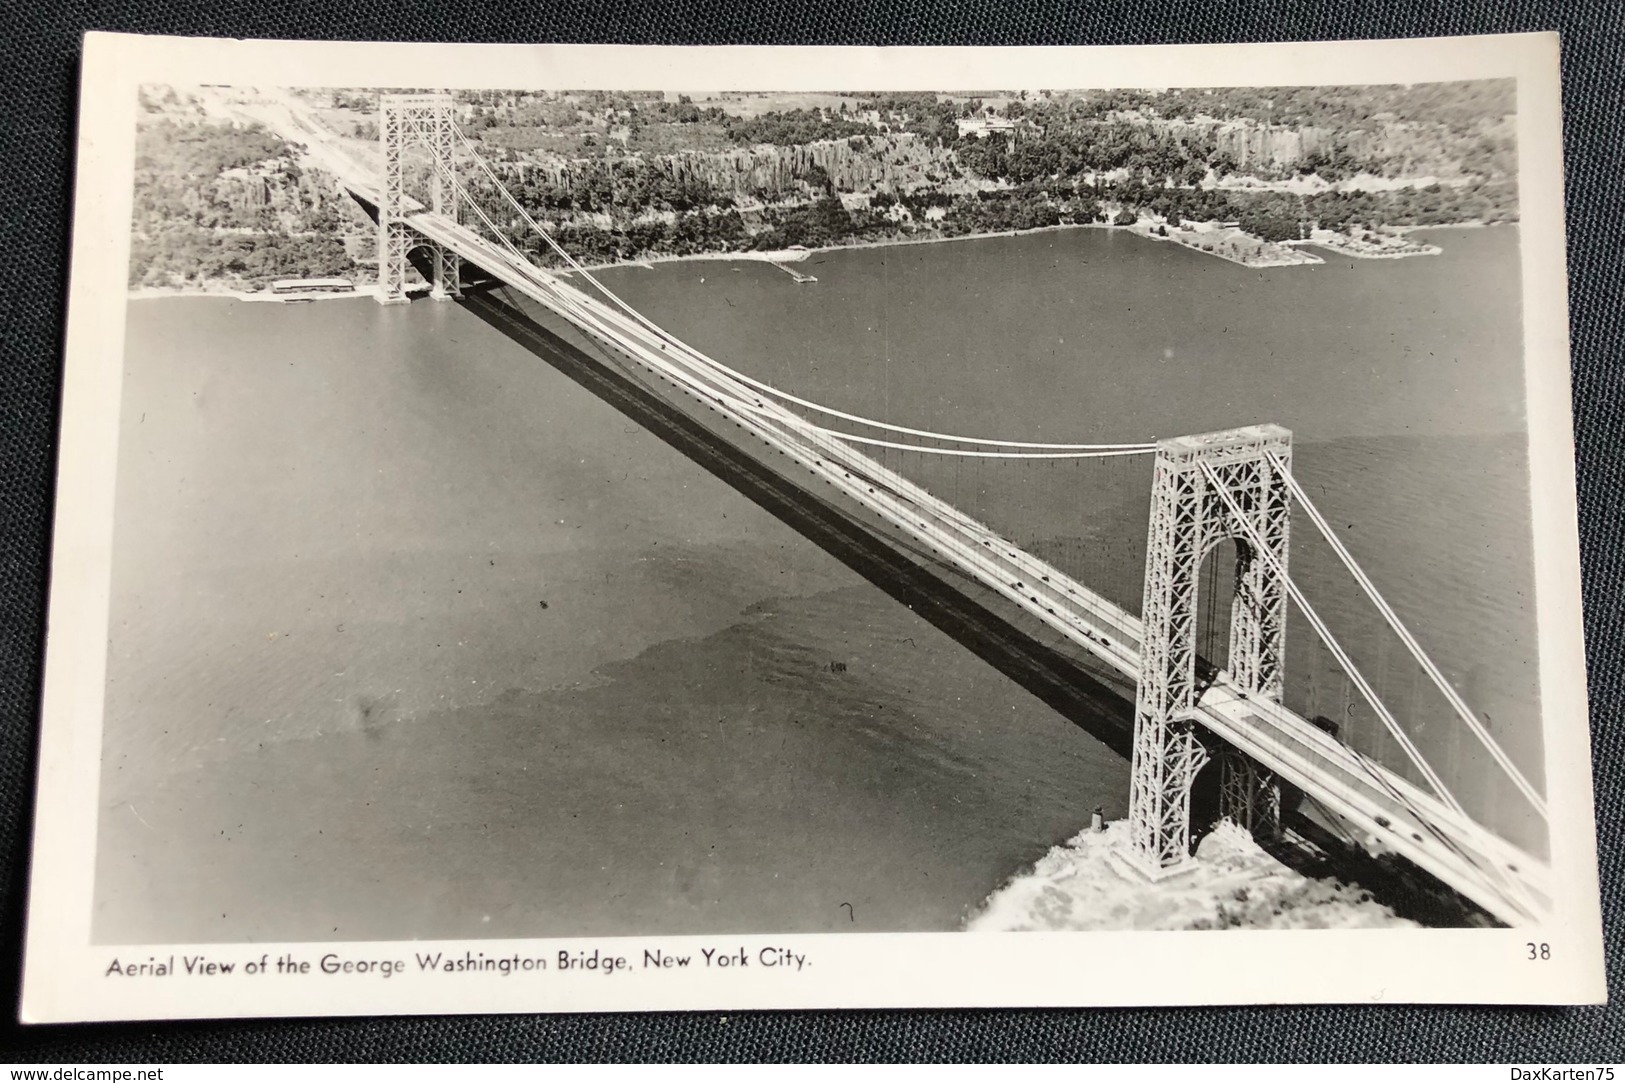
<point x="407" y="123"/>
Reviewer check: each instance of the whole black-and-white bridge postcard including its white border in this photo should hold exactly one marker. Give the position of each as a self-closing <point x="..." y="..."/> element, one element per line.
<point x="574" y="534"/>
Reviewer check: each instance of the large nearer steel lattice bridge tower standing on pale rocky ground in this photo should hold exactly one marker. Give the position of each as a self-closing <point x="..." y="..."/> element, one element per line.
<point x="1189" y="520"/>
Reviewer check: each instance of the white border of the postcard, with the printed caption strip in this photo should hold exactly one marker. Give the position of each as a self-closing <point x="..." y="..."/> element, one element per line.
<point x="66" y="973"/>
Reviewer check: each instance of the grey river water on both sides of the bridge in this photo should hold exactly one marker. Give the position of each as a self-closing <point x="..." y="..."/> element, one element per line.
<point x="412" y="637"/>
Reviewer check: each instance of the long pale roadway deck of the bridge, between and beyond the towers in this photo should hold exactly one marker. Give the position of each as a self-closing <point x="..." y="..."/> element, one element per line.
<point x="1384" y="811"/>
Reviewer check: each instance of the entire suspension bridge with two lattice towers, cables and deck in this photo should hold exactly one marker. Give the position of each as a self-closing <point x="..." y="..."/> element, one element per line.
<point x="436" y="196"/>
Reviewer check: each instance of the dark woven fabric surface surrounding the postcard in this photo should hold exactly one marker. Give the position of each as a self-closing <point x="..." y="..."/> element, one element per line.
<point x="40" y="74"/>
